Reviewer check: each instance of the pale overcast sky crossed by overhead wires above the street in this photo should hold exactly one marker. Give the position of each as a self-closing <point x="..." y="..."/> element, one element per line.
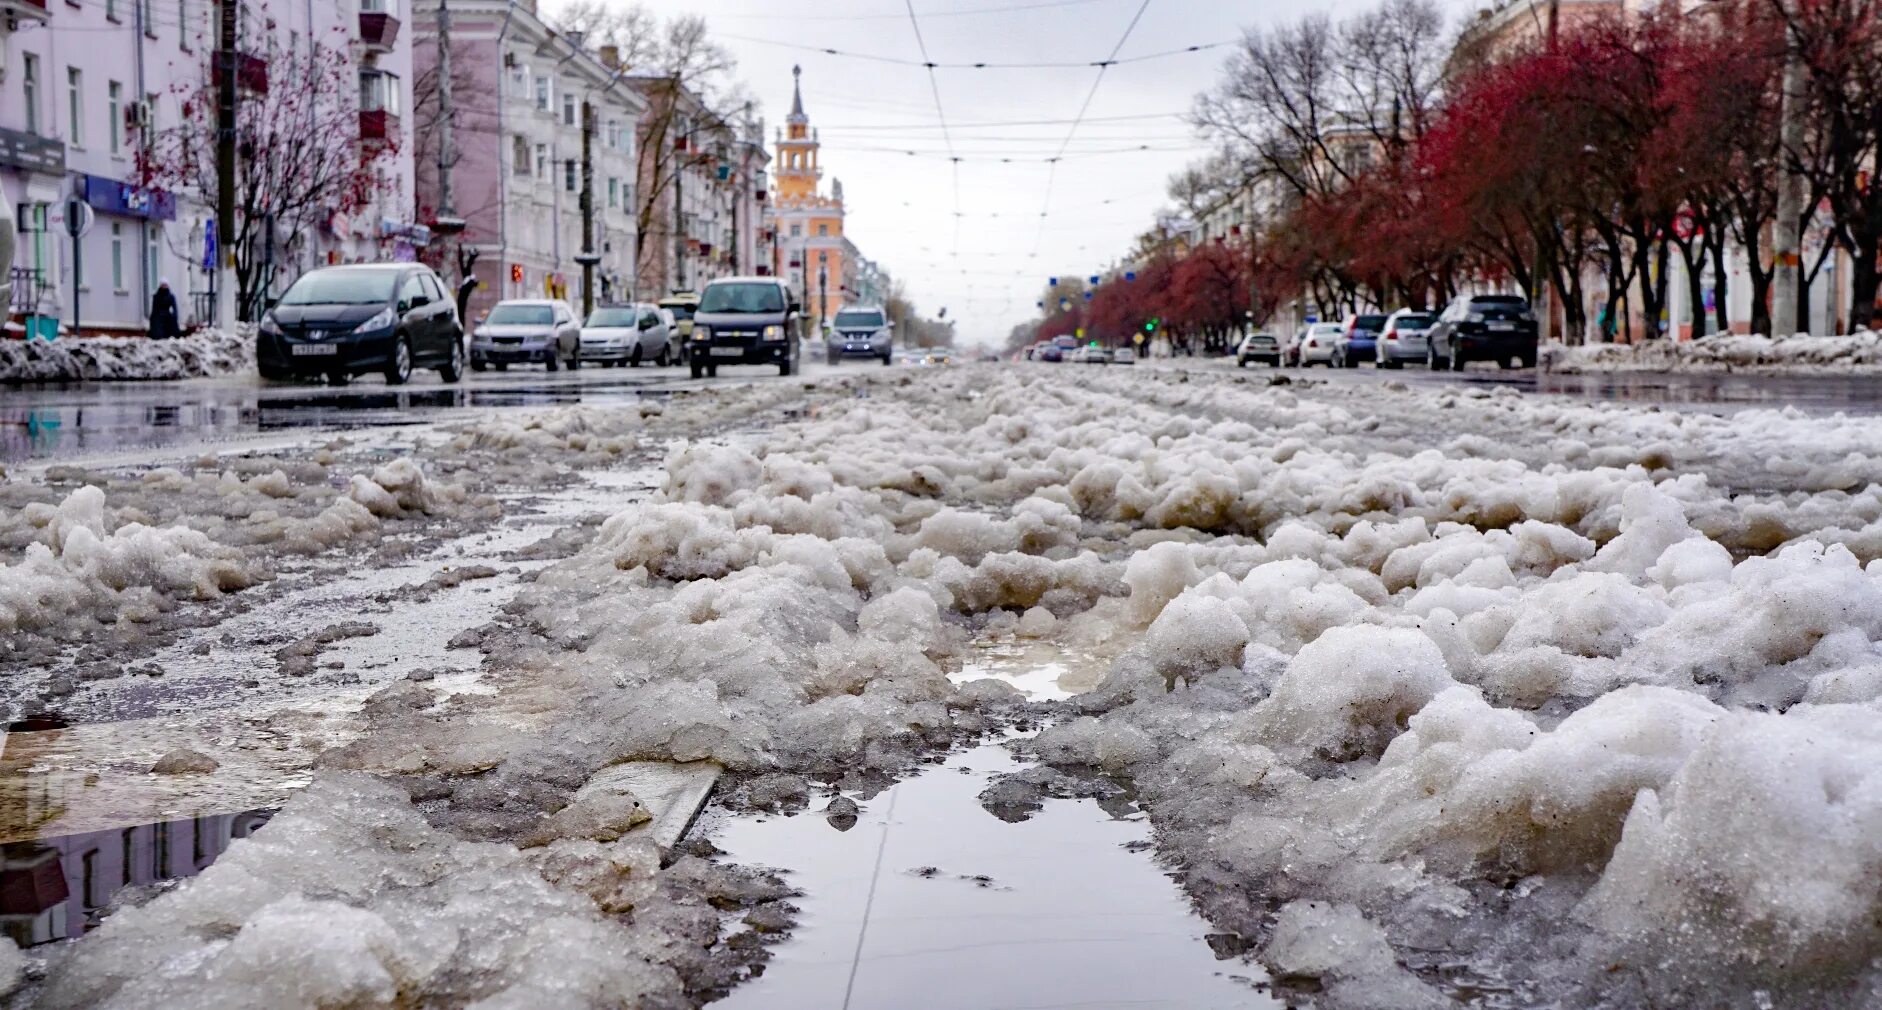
<point x="989" y="264"/>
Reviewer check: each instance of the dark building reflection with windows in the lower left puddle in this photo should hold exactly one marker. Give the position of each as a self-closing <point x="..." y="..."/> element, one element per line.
<point x="59" y="889"/>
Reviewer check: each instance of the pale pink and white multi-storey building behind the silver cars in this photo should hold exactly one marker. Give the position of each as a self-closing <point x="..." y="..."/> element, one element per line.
<point x="522" y="97"/>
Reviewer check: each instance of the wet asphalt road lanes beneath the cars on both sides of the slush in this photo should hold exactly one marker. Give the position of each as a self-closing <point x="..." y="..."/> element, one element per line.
<point x="61" y="422"/>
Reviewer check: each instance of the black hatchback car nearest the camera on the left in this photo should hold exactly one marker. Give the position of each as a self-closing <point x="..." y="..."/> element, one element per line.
<point x="342" y="323"/>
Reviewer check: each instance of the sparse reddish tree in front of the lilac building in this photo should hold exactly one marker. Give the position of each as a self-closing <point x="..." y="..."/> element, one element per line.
<point x="300" y="157"/>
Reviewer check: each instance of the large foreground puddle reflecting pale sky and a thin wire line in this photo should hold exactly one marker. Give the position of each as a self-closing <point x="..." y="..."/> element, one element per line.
<point x="966" y="911"/>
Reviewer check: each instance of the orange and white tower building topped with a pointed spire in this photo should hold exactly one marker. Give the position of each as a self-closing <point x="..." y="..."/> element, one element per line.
<point x="812" y="253"/>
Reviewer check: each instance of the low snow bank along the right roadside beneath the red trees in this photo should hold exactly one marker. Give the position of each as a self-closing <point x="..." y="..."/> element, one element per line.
<point x="1860" y="353"/>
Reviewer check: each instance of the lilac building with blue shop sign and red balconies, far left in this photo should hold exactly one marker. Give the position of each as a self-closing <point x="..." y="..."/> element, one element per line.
<point x="89" y="89"/>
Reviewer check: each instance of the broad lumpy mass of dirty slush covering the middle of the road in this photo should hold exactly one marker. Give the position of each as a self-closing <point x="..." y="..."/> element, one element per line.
<point x="1427" y="691"/>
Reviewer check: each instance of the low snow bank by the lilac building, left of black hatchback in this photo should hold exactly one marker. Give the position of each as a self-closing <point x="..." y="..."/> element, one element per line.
<point x="206" y="353"/>
